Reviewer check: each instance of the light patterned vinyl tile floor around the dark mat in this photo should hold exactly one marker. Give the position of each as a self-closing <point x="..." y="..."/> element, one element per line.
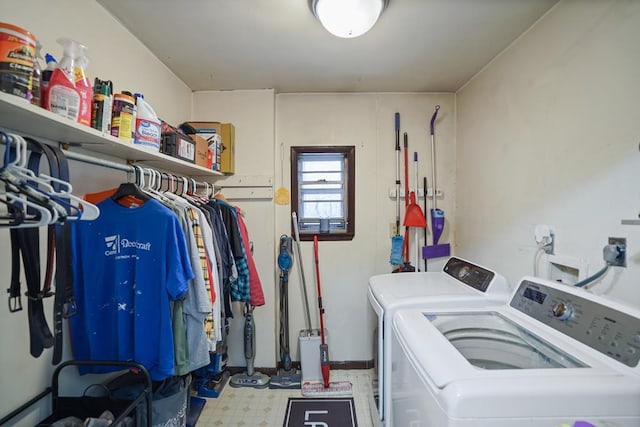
<point x="250" y="407"/>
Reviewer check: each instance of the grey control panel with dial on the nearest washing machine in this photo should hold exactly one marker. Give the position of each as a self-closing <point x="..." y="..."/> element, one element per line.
<point x="603" y="328"/>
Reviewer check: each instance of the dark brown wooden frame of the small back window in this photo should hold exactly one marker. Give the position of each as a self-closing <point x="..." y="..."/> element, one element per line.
<point x="348" y="151"/>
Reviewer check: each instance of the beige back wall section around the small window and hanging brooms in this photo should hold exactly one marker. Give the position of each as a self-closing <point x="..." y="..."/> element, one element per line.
<point x="367" y="122"/>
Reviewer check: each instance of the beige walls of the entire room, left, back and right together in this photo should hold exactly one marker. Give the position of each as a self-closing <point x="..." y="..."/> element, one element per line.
<point x="546" y="134"/>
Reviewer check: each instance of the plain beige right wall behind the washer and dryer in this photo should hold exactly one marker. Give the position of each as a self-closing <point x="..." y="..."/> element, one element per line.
<point x="548" y="133"/>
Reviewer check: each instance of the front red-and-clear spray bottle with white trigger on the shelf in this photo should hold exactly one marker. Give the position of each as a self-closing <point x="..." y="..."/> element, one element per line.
<point x="61" y="96"/>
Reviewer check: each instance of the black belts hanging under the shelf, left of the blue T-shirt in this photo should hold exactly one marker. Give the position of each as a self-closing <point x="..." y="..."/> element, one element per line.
<point x="25" y="243"/>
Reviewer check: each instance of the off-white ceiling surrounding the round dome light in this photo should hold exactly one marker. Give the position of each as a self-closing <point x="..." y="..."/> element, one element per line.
<point x="416" y="46"/>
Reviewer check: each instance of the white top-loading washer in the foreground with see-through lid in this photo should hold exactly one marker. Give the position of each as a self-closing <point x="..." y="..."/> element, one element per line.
<point x="553" y="355"/>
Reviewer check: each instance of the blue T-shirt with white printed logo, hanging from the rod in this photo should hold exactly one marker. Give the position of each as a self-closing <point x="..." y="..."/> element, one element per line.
<point x="128" y="264"/>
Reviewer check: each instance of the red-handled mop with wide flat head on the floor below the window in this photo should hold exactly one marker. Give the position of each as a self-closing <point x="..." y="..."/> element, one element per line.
<point x="324" y="388"/>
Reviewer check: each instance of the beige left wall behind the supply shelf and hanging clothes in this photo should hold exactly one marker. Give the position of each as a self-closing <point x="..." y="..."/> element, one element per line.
<point x="115" y="55"/>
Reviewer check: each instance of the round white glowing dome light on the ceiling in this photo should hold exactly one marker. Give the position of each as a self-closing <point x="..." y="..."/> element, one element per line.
<point x="348" y="18"/>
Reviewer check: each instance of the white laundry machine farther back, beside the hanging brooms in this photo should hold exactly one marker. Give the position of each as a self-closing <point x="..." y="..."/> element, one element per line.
<point x="459" y="283"/>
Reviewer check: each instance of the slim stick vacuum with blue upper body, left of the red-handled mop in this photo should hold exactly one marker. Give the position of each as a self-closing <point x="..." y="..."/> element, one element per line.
<point x="287" y="377"/>
